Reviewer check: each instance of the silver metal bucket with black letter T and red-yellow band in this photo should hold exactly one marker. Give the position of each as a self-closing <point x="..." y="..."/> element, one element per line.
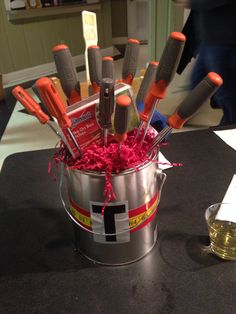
<point x="127" y="230"/>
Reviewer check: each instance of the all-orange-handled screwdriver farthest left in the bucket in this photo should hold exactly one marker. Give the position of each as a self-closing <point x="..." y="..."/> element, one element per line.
<point x="32" y="107"/>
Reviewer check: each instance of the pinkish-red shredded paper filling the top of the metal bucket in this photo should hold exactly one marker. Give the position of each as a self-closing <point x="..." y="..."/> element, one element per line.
<point x="108" y="160"/>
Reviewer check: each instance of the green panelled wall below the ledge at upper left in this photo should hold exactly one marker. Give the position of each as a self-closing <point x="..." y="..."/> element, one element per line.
<point x="27" y="43"/>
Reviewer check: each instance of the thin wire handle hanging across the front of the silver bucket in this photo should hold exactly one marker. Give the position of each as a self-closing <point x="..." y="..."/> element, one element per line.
<point x="158" y="172"/>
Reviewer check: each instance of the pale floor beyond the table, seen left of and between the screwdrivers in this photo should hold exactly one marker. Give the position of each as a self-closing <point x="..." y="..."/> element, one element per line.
<point x="24" y="133"/>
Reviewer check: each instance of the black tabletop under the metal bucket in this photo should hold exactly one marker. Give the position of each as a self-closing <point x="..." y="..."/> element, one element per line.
<point x="41" y="273"/>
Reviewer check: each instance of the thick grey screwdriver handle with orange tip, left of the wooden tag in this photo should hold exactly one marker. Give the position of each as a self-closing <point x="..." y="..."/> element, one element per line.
<point x="67" y="72"/>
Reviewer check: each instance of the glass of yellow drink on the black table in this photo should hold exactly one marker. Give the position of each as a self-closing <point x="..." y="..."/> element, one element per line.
<point x="221" y="221"/>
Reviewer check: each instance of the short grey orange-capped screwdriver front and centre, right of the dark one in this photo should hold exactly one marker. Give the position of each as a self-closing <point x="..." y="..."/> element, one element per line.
<point x="121" y="119"/>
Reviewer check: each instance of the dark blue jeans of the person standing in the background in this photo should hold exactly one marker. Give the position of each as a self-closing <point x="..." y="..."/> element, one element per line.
<point x="222" y="60"/>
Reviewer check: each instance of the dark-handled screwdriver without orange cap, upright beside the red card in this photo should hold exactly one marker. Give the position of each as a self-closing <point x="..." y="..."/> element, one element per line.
<point x="106" y="105"/>
